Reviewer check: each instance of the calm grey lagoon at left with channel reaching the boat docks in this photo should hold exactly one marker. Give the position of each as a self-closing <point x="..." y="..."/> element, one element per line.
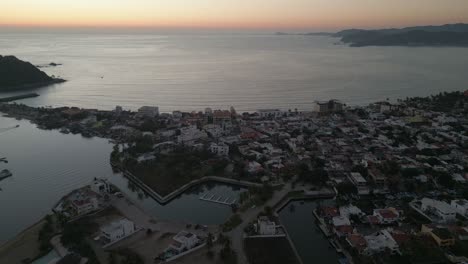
<point x="47" y="164"/>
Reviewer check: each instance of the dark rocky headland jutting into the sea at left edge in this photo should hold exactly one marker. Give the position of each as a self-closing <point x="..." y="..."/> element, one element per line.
<point x="16" y="74"/>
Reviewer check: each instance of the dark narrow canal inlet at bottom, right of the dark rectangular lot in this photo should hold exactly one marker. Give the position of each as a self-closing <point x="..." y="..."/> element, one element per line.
<point x="311" y="244"/>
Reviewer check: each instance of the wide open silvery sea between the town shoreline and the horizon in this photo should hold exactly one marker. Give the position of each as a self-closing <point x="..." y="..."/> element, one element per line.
<point x="191" y="72"/>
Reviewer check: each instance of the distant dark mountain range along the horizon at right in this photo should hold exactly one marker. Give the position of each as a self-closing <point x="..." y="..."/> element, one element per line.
<point x="444" y="35"/>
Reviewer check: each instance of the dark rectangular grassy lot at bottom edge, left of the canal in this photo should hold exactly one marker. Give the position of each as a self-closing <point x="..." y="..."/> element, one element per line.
<point x="270" y="251"/>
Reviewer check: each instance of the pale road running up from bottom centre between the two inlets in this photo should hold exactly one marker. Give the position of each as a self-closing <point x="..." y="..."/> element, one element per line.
<point x="250" y="215"/>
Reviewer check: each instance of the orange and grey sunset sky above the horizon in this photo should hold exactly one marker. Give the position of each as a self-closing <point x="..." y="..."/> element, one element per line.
<point x="250" y="14"/>
